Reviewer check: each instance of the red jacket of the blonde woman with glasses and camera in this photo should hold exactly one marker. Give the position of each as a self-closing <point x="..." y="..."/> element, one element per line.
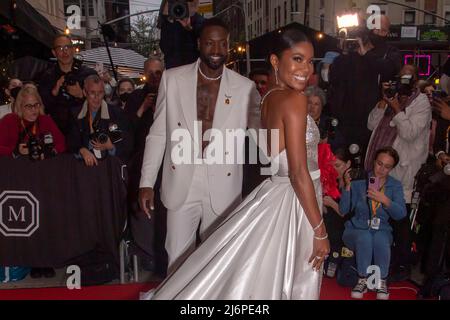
<point x="11" y="128"/>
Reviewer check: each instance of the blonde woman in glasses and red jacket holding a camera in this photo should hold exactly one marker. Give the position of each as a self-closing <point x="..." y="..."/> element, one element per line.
<point x="28" y="132"/>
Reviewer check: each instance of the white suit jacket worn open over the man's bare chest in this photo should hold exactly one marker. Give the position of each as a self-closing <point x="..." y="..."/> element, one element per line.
<point x="237" y="107"/>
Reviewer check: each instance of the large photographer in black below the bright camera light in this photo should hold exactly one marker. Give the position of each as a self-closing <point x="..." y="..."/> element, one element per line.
<point x="355" y="78"/>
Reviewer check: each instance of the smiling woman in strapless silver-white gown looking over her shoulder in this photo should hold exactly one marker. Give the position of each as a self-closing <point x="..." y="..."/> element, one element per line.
<point x="273" y="245"/>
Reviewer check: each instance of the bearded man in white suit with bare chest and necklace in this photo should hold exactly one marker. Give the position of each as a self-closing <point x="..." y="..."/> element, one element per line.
<point x="219" y="99"/>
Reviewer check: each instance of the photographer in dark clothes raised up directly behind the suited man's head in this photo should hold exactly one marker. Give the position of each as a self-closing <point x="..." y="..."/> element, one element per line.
<point x="179" y="33"/>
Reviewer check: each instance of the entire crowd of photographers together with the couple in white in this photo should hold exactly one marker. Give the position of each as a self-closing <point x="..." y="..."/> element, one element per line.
<point x="363" y="97"/>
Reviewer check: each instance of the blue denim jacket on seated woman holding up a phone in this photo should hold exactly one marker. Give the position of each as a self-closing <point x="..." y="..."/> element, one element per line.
<point x="356" y="200"/>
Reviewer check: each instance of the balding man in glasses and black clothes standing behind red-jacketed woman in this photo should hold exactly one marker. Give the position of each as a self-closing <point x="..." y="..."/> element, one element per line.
<point x="61" y="86"/>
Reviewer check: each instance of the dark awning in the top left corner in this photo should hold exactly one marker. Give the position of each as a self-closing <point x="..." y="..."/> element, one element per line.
<point x="23" y="16"/>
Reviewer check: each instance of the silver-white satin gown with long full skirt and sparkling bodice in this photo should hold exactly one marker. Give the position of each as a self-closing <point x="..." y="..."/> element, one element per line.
<point x="261" y="251"/>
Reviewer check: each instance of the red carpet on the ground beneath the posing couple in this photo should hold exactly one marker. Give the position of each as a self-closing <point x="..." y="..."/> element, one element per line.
<point x="330" y="291"/>
